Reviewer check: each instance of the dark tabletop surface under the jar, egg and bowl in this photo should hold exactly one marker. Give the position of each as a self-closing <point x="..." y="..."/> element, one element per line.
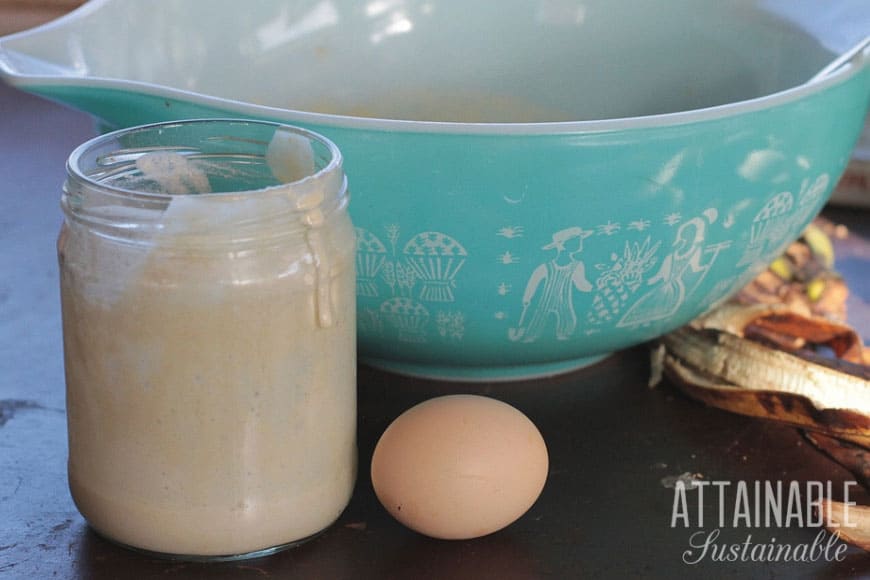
<point x="604" y="513"/>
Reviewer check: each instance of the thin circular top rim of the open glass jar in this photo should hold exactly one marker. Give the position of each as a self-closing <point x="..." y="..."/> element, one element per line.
<point x="333" y="166"/>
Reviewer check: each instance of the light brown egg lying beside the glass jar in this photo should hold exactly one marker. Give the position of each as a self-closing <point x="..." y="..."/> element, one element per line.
<point x="459" y="466"/>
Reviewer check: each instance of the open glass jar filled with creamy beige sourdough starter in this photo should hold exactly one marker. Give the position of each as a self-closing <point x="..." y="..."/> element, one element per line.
<point x="208" y="298"/>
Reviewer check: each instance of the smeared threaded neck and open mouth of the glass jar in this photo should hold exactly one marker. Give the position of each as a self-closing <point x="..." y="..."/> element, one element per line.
<point x="203" y="177"/>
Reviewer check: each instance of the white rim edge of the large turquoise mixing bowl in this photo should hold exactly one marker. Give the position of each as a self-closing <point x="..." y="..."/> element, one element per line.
<point x="35" y="83"/>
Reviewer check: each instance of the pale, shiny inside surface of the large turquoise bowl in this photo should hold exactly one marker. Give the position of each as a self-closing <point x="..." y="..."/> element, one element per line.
<point x="445" y="60"/>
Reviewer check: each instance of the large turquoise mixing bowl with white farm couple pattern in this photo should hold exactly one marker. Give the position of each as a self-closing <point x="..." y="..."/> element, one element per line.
<point x="535" y="183"/>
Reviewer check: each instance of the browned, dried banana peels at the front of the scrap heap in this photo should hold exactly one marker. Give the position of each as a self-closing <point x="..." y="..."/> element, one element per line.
<point x="829" y="401"/>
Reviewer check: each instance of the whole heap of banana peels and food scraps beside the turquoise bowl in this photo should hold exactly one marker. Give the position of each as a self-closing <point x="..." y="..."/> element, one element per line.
<point x="759" y="355"/>
